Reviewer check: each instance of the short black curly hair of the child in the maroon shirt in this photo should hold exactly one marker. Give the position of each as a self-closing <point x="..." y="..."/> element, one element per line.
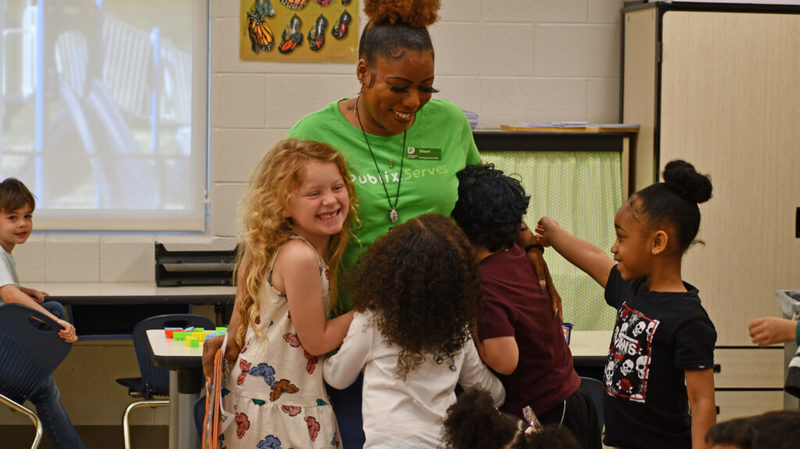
<point x="490" y="206"/>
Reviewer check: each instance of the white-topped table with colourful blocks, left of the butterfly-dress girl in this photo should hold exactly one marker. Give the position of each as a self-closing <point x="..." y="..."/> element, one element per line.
<point x="185" y="383"/>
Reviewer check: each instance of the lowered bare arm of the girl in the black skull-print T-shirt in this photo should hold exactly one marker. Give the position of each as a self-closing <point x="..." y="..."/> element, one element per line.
<point x="700" y="388"/>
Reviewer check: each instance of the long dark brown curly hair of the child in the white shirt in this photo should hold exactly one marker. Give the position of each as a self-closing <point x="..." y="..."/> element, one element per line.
<point x="421" y="280"/>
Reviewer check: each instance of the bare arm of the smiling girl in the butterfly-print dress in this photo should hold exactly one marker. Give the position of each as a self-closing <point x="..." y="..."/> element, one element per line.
<point x="297" y="274"/>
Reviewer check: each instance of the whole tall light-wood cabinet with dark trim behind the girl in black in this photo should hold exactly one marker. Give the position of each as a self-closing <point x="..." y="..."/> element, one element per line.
<point x="717" y="85"/>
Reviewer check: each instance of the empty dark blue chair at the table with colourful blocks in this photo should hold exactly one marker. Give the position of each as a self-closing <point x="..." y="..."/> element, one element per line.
<point x="154" y="380"/>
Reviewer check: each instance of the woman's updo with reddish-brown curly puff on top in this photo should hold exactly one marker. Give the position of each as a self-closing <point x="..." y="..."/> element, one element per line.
<point x="396" y="26"/>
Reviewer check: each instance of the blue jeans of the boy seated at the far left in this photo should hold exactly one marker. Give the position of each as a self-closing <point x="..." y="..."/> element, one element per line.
<point x="47" y="400"/>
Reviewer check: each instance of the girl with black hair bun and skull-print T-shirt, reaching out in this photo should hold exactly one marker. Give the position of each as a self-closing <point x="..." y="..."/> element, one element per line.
<point x="658" y="378"/>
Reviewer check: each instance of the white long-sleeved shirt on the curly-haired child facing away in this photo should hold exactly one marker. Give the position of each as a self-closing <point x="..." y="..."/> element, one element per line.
<point x="401" y="414"/>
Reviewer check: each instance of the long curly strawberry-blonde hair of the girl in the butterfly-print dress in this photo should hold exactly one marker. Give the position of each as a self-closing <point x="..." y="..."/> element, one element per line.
<point x="273" y="182"/>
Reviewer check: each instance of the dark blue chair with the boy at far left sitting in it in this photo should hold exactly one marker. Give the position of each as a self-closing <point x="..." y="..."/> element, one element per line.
<point x="30" y="349"/>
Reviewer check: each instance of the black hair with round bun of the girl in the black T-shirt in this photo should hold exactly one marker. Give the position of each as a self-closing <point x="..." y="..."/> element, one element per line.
<point x="674" y="201"/>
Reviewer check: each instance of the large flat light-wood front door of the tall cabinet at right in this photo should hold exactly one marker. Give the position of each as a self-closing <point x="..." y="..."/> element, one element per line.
<point x="730" y="104"/>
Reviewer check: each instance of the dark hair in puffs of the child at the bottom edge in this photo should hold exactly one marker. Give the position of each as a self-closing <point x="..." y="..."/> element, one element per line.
<point x="473" y="421"/>
